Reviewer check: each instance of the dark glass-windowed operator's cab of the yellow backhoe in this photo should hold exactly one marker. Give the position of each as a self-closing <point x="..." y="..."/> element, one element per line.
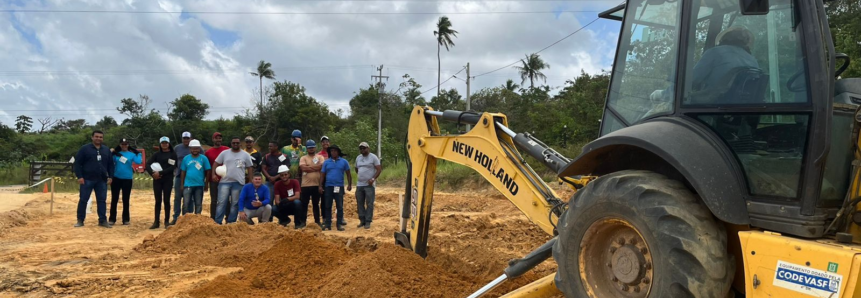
<point x="755" y="81"/>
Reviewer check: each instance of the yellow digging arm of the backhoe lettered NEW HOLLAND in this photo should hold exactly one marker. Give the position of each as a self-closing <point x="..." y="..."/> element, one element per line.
<point x="489" y="148"/>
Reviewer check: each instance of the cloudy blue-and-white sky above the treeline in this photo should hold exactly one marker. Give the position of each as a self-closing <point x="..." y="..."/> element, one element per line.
<point x="77" y="59"/>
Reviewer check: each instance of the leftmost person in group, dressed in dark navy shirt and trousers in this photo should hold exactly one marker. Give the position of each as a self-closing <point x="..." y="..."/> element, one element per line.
<point x="94" y="169"/>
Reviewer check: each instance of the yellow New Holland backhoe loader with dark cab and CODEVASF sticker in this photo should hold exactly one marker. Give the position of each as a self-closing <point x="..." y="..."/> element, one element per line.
<point x="727" y="166"/>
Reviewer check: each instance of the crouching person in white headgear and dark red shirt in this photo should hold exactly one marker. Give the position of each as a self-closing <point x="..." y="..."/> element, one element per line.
<point x="287" y="200"/>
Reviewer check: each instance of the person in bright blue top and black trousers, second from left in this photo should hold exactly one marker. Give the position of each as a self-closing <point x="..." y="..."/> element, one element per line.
<point x="124" y="156"/>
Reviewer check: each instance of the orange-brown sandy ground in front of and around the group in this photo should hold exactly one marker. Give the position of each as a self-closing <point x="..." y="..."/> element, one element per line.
<point x="473" y="235"/>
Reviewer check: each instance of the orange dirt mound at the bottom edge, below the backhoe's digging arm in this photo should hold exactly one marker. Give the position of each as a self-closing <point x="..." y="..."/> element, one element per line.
<point x="392" y="271"/>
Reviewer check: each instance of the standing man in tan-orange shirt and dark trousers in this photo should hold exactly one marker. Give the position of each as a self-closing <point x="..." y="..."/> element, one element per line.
<point x="310" y="166"/>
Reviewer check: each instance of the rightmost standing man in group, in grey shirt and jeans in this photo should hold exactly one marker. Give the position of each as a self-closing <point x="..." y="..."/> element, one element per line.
<point x="368" y="168"/>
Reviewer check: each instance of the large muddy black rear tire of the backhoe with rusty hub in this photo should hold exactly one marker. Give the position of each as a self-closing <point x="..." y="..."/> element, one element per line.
<point x="640" y="234"/>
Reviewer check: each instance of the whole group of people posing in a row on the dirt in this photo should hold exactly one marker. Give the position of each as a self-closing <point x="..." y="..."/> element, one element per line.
<point x="243" y="183"/>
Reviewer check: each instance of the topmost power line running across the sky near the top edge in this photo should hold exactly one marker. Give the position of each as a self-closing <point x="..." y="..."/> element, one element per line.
<point x="290" y="12"/>
